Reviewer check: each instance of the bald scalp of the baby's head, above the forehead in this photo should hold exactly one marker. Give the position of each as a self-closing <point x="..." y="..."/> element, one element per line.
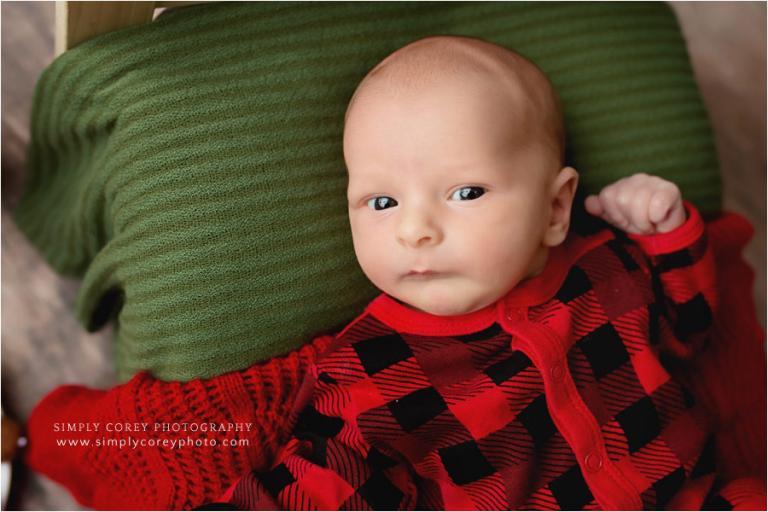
<point x="521" y="91"/>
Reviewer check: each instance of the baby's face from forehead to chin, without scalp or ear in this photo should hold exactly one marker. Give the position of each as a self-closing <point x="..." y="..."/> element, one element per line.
<point x="449" y="196"/>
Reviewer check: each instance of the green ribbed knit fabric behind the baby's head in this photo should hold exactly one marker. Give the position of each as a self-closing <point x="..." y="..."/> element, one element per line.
<point x="190" y="170"/>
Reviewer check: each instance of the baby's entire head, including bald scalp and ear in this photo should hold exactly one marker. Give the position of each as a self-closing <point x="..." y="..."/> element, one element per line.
<point x="457" y="189"/>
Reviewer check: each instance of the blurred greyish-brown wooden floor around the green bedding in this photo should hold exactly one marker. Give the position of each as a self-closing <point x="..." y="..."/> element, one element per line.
<point x="42" y="346"/>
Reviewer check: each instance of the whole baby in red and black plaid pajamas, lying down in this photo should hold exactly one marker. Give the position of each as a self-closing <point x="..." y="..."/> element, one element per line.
<point x="507" y="364"/>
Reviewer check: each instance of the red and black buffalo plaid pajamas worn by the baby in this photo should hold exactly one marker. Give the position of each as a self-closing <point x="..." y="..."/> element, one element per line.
<point x="556" y="397"/>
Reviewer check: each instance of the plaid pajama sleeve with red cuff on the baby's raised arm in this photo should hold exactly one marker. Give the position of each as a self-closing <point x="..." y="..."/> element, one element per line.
<point x="683" y="277"/>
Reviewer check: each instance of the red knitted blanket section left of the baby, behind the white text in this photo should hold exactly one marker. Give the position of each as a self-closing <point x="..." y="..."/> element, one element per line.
<point x="154" y="477"/>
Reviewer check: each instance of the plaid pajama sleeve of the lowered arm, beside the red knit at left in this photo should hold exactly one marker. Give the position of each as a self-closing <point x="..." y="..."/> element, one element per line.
<point x="327" y="465"/>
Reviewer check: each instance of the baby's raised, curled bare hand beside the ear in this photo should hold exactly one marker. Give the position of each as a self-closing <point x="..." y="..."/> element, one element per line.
<point x="639" y="204"/>
